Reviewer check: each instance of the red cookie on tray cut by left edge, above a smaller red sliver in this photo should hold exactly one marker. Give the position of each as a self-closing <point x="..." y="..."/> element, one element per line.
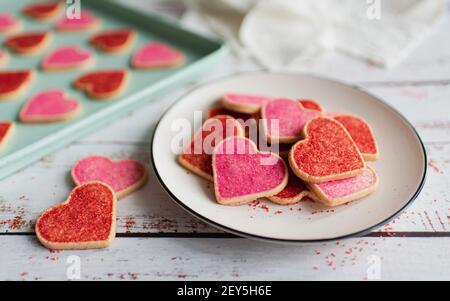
<point x="13" y="83"/>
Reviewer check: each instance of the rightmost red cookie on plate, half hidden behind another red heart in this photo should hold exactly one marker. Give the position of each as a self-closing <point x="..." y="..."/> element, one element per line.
<point x="361" y="133"/>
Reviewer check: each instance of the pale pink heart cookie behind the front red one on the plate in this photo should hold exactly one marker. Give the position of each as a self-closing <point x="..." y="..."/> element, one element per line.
<point x="283" y="120"/>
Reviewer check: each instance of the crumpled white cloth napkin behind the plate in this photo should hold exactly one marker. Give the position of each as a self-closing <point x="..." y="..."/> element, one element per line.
<point x="293" y="34"/>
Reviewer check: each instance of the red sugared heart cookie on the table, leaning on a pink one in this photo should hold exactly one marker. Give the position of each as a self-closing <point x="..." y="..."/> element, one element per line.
<point x="86" y="220"/>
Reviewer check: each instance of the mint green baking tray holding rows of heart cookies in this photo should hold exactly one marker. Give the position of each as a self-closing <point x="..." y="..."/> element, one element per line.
<point x="33" y="141"/>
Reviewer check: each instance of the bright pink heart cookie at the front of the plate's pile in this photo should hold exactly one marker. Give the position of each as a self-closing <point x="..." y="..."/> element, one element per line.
<point x="242" y="173"/>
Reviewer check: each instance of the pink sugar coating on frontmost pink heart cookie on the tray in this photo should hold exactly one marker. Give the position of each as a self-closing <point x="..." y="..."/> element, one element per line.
<point x="49" y="103"/>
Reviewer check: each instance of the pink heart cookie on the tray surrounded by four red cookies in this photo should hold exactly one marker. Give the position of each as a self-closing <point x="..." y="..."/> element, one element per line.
<point x="67" y="57"/>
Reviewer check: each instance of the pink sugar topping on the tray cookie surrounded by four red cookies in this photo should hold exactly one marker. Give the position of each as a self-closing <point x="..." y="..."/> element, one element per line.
<point x="66" y="56"/>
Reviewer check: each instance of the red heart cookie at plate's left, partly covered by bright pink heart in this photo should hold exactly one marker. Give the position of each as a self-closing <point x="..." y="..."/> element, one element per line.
<point x="196" y="156"/>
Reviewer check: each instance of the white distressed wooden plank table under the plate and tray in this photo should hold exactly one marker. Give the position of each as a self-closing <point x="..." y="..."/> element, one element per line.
<point x="157" y="240"/>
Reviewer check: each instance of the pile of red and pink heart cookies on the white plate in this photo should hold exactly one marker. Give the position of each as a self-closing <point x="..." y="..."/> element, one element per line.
<point x="300" y="151"/>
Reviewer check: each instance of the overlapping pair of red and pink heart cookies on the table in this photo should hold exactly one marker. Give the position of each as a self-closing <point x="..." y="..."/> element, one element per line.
<point x="87" y="219"/>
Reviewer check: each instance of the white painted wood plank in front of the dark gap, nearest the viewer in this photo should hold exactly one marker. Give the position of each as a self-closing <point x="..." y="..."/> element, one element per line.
<point x="230" y="259"/>
